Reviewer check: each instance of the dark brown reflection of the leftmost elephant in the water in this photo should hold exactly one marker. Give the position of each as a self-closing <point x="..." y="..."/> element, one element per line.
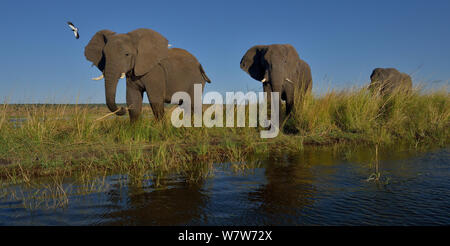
<point x="177" y="203"/>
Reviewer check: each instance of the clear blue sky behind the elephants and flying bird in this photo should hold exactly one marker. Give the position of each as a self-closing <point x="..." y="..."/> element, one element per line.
<point x="341" y="40"/>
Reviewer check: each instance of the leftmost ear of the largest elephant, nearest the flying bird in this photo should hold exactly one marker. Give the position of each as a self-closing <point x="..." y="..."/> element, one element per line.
<point x="93" y="50"/>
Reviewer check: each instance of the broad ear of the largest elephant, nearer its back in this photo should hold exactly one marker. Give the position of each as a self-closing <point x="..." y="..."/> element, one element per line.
<point x="151" y="47"/>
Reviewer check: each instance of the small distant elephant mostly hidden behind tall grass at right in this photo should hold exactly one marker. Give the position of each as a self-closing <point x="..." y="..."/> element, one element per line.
<point x="385" y="80"/>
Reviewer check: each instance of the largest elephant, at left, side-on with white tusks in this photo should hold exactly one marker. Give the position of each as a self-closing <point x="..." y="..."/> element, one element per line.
<point x="149" y="65"/>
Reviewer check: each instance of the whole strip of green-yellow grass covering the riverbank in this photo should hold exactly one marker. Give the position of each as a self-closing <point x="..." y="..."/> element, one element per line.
<point x="65" y="140"/>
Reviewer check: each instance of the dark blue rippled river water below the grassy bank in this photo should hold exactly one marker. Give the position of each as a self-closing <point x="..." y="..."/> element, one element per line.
<point x="320" y="186"/>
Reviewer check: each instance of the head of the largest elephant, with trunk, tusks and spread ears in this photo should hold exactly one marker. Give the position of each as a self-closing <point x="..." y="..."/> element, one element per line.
<point x="134" y="53"/>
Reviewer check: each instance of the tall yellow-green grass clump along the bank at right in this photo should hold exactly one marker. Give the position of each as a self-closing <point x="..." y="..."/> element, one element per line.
<point x="361" y="115"/>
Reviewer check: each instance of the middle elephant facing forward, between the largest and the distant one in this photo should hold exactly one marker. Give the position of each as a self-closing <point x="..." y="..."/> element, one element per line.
<point x="280" y="69"/>
